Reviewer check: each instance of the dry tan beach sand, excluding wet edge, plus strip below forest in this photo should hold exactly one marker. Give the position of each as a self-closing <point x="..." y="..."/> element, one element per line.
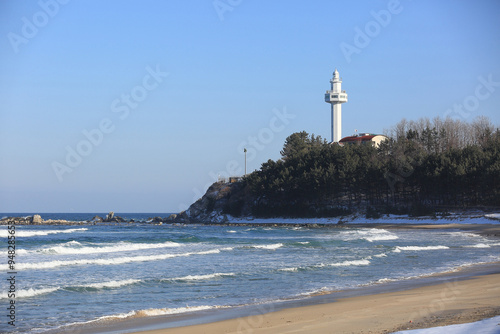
<point x="453" y="301"/>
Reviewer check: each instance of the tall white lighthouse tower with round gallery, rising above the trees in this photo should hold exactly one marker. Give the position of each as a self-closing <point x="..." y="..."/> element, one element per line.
<point x="336" y="96"/>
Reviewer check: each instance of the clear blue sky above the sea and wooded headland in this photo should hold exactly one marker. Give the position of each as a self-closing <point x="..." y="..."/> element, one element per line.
<point x="136" y="106"/>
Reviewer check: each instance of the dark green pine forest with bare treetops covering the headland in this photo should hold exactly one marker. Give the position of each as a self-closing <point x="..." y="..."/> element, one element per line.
<point x="426" y="166"/>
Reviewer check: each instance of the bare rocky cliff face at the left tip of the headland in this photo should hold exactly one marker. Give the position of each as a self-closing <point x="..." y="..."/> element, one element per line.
<point x="220" y="201"/>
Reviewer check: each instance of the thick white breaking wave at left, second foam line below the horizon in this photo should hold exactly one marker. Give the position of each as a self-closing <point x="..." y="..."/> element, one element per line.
<point x="69" y="248"/>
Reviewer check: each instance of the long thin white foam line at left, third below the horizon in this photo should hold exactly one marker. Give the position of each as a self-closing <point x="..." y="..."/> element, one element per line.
<point x="112" y="261"/>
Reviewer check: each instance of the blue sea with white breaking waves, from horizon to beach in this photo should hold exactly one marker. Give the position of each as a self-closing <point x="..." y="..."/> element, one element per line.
<point x="73" y="276"/>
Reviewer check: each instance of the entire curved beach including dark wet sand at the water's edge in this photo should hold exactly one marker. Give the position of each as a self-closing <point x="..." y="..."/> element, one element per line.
<point x="465" y="295"/>
